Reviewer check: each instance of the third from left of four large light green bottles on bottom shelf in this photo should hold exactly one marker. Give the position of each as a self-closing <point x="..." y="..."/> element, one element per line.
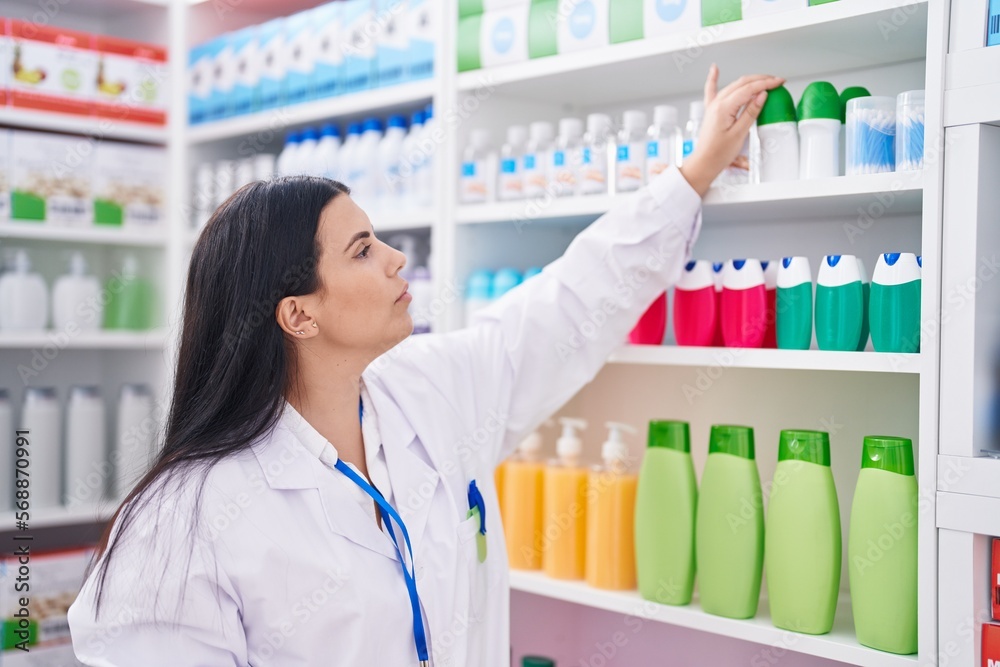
<point x="803" y="535"/>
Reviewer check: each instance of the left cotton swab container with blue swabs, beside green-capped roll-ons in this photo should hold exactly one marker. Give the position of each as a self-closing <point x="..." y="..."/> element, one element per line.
<point x="871" y="135"/>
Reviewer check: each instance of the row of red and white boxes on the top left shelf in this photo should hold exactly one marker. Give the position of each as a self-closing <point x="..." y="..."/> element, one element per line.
<point x="46" y="68"/>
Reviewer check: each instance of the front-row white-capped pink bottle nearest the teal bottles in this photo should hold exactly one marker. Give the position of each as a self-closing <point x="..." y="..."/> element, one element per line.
<point x="744" y="303"/>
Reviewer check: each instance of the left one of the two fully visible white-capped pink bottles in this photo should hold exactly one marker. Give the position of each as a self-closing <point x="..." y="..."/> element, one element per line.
<point x="696" y="305"/>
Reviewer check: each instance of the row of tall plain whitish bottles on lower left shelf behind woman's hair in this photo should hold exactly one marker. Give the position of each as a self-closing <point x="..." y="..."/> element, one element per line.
<point x="73" y="461"/>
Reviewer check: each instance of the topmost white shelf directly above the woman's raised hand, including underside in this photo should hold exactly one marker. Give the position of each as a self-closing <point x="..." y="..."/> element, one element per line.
<point x="838" y="36"/>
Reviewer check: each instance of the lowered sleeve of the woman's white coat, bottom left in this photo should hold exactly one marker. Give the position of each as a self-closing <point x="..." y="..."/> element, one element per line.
<point x="167" y="601"/>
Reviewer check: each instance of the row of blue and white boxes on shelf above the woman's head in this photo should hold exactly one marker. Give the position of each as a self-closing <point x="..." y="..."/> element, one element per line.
<point x="334" y="49"/>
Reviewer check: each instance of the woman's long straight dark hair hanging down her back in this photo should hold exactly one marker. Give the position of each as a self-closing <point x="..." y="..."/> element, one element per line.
<point x="234" y="365"/>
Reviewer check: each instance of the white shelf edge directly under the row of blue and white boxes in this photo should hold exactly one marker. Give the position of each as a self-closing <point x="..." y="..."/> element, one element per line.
<point x="380" y="100"/>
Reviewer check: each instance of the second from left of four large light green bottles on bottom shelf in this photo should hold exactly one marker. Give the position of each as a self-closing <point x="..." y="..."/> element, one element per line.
<point x="729" y="529"/>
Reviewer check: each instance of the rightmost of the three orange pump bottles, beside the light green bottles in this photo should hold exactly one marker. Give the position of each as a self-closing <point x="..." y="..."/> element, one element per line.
<point x="611" y="516"/>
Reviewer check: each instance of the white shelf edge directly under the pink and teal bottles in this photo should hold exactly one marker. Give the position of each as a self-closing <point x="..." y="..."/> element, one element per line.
<point x="767" y="359"/>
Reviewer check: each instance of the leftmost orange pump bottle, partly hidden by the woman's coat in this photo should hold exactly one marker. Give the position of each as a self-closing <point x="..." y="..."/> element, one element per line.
<point x="522" y="508"/>
